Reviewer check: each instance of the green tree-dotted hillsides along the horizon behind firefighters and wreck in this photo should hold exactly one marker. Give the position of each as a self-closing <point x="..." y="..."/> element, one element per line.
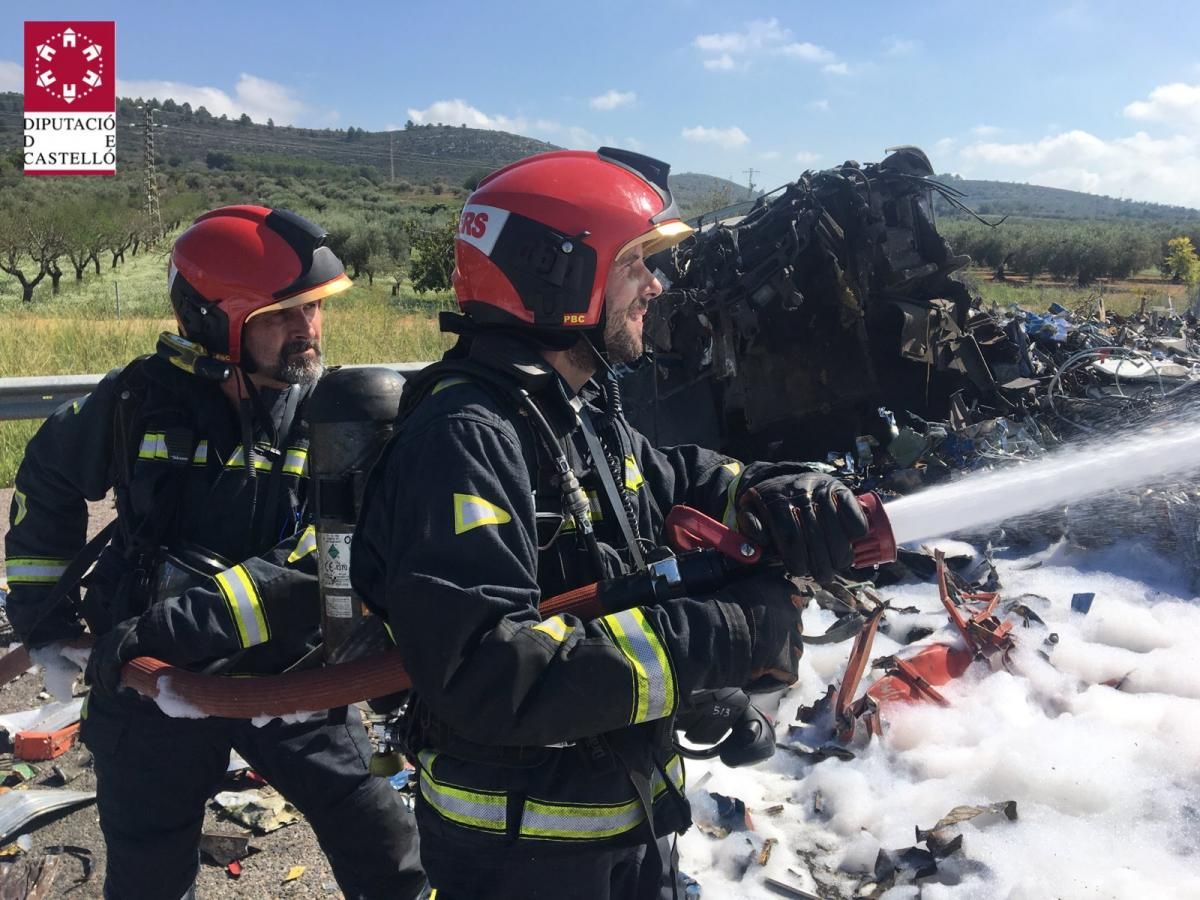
<point x="391" y="201"/>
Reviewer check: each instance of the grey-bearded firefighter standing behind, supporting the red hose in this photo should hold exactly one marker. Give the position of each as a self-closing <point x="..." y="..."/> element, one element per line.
<point x="211" y="565"/>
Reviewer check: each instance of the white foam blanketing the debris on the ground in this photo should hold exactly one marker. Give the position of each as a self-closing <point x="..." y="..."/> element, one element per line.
<point x="1106" y="781"/>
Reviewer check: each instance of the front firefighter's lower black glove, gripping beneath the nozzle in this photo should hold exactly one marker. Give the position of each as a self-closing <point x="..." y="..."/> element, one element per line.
<point x="772" y="607"/>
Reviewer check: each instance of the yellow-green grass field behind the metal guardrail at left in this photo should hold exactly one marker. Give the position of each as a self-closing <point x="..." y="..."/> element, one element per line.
<point x="79" y="332"/>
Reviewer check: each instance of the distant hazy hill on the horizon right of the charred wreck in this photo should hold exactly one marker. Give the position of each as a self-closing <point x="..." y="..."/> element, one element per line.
<point x="998" y="199"/>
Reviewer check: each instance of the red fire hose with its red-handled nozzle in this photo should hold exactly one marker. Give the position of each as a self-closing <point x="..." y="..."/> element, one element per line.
<point x="709" y="555"/>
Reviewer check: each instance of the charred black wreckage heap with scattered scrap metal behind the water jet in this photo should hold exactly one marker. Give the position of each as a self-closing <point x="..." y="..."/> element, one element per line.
<point x="827" y="322"/>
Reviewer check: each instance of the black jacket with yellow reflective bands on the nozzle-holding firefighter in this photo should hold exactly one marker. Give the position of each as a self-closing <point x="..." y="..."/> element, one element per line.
<point x="533" y="729"/>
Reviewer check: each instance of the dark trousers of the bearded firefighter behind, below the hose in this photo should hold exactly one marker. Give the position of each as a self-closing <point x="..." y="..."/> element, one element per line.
<point x="154" y="777"/>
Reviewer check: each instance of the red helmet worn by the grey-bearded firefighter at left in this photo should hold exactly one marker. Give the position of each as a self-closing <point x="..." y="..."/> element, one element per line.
<point x="239" y="262"/>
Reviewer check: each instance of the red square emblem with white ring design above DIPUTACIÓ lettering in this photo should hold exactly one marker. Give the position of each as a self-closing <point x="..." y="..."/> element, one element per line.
<point x="70" y="67"/>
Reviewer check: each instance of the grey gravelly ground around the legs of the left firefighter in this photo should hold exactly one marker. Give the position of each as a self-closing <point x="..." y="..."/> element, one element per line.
<point x="263" y="872"/>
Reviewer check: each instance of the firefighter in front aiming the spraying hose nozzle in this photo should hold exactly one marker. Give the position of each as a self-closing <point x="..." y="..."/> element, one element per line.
<point x="544" y="747"/>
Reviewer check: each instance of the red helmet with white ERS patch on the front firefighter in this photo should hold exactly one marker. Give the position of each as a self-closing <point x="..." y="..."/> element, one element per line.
<point x="537" y="239"/>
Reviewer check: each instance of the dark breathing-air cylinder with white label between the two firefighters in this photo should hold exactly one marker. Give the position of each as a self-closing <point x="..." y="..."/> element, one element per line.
<point x="351" y="417"/>
